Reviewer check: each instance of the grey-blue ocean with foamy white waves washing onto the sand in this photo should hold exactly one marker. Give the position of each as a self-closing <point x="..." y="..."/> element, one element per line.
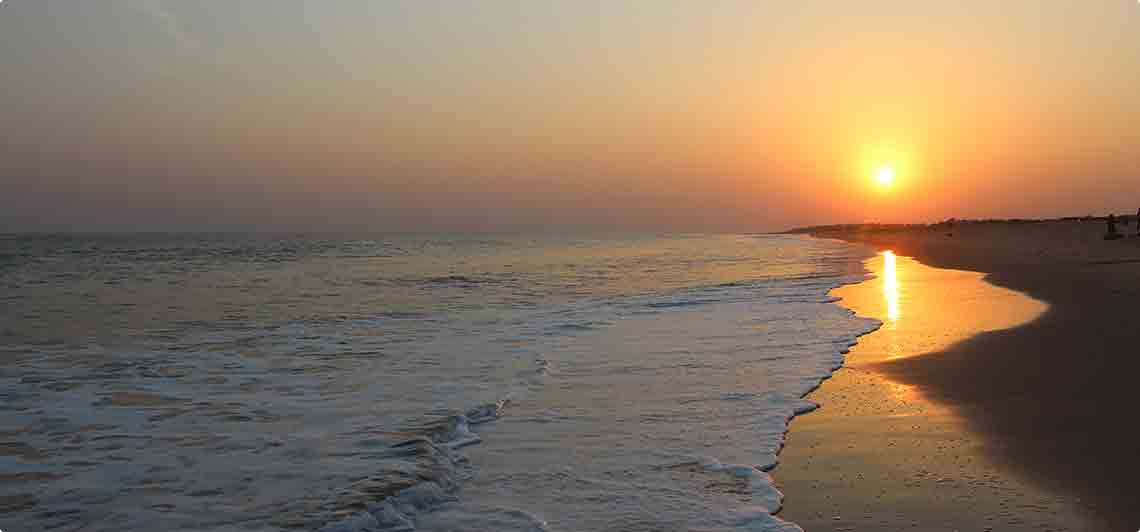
<point x="401" y="382"/>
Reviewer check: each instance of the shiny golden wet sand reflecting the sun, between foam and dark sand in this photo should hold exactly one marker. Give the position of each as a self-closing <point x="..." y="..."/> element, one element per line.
<point x="884" y="454"/>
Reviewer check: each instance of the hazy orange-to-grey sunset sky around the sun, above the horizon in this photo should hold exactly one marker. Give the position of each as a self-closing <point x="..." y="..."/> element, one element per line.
<point x="573" y="116"/>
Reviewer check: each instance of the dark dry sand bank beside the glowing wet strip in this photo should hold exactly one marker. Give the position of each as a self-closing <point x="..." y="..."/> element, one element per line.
<point x="1051" y="400"/>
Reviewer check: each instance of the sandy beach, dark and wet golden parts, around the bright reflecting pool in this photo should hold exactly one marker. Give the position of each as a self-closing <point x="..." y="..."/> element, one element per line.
<point x="1041" y="412"/>
